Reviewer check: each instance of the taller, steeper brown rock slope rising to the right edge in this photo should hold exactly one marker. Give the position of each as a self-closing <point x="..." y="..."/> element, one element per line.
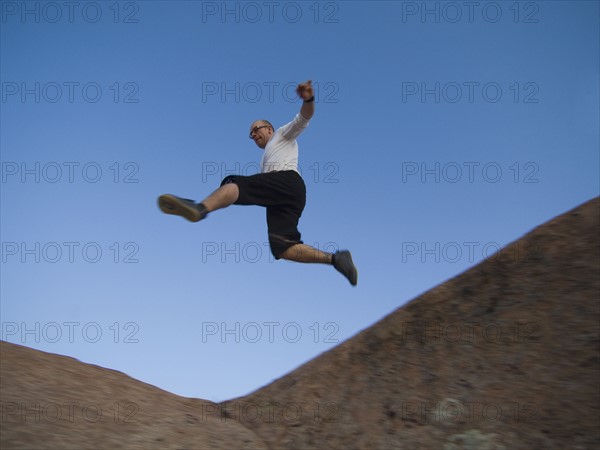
<point x="503" y="356"/>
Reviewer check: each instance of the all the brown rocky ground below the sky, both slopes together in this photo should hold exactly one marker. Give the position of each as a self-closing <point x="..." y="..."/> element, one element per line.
<point x="503" y="356"/>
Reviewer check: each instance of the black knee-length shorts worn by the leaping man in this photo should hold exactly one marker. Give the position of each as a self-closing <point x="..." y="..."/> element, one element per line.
<point x="284" y="195"/>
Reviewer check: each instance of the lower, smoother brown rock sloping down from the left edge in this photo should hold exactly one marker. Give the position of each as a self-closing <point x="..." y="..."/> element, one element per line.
<point x="55" y="402"/>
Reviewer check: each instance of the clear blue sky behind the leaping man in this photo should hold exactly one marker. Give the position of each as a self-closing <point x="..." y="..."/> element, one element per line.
<point x="442" y="132"/>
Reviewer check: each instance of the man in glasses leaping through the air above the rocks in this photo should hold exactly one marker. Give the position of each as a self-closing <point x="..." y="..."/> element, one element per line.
<point x="279" y="187"/>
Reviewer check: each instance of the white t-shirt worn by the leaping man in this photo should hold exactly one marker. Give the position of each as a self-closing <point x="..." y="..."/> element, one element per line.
<point x="281" y="152"/>
